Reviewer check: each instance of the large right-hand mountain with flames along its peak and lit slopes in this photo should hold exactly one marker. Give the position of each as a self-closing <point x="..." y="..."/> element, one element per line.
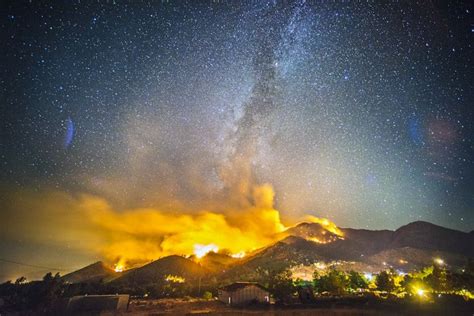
<point x="409" y="247"/>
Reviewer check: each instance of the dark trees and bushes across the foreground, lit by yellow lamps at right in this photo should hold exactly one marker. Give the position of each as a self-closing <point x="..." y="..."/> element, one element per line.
<point x="426" y="285"/>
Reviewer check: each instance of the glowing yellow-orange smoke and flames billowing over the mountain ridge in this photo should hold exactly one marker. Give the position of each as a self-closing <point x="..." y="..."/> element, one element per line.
<point x="132" y="237"/>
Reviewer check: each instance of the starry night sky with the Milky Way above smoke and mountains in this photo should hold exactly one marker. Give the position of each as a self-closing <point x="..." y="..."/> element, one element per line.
<point x="358" y="112"/>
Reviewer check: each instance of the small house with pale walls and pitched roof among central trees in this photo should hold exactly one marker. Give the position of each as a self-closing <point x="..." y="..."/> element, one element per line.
<point x="242" y="293"/>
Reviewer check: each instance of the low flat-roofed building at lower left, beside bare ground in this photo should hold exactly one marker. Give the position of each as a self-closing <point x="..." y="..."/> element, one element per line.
<point x="97" y="304"/>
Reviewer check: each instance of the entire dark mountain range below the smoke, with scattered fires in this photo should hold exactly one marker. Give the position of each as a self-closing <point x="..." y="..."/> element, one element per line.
<point x="410" y="247"/>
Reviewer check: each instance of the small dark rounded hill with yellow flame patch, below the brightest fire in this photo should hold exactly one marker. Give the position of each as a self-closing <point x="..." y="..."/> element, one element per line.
<point x="171" y="268"/>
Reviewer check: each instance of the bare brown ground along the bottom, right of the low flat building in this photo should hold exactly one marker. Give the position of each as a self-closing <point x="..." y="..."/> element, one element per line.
<point x="333" y="307"/>
